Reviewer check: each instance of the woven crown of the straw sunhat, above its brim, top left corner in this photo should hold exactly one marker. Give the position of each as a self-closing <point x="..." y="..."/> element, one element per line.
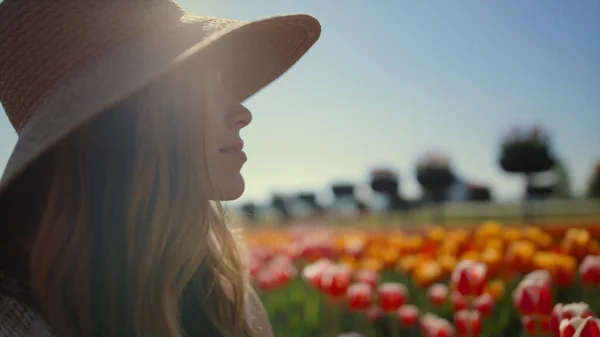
<point x="44" y="42"/>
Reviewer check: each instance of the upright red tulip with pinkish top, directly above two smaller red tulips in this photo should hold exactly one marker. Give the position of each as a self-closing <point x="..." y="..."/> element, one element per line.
<point x="469" y="278"/>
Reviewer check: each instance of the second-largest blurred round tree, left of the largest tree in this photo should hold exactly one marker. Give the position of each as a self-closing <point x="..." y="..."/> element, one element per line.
<point x="435" y="176"/>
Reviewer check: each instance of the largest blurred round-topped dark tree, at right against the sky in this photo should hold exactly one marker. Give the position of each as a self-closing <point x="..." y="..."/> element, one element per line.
<point x="527" y="152"/>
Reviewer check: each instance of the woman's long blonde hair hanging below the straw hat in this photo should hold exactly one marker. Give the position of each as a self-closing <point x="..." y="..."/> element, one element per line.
<point x="127" y="241"/>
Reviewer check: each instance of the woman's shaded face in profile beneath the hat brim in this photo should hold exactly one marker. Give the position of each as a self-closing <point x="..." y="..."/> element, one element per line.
<point x="226" y="116"/>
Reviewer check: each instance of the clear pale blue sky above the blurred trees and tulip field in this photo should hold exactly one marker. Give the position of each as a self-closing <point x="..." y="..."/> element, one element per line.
<point x="391" y="79"/>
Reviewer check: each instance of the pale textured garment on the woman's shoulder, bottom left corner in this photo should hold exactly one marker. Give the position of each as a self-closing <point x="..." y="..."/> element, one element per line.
<point x="17" y="319"/>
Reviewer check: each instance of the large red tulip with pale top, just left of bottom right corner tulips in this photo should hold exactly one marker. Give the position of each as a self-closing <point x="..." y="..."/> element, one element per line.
<point x="533" y="296"/>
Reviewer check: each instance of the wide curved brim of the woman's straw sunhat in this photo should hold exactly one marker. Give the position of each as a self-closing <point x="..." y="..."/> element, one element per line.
<point x="251" y="55"/>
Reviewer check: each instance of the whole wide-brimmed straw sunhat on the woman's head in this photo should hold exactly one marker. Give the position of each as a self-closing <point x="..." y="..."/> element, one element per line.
<point x="63" y="62"/>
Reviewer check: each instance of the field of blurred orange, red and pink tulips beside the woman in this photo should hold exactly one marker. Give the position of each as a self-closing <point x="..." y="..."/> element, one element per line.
<point x="493" y="280"/>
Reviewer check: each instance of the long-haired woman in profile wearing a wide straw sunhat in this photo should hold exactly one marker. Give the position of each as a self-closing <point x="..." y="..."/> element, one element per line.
<point x="128" y="115"/>
